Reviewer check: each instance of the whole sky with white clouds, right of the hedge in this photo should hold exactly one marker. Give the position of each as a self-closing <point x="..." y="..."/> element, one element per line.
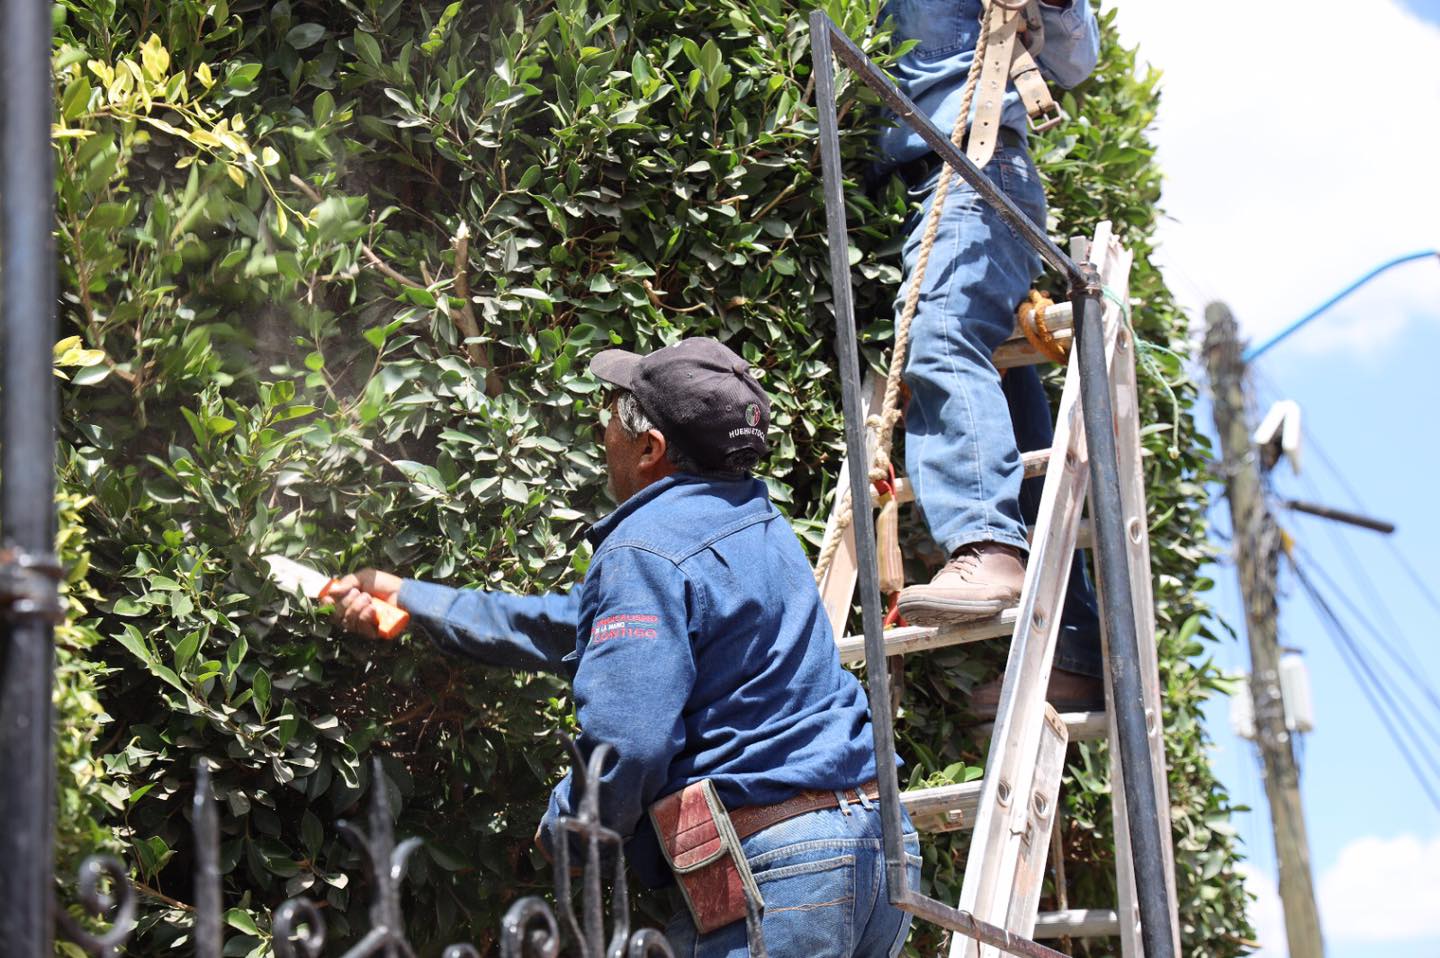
<point x="1288" y="176"/>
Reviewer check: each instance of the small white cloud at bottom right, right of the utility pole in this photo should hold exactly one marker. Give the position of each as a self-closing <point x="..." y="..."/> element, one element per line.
<point x="1383" y="890"/>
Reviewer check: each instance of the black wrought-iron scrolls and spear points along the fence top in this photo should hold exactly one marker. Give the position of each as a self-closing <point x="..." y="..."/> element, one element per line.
<point x="529" y="930"/>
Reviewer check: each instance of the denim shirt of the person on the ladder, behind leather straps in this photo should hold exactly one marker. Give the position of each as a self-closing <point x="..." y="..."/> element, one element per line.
<point x="934" y="73"/>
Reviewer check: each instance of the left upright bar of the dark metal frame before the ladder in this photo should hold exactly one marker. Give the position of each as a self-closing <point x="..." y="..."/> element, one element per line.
<point x="856" y="449"/>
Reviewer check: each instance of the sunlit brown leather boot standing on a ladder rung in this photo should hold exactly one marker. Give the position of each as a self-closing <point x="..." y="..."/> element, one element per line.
<point x="981" y="580"/>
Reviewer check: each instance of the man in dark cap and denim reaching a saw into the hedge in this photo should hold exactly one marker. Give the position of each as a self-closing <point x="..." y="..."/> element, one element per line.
<point x="701" y="650"/>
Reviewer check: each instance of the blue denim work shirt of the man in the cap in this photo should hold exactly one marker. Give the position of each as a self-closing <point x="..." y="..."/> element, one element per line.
<point x="699" y="649"/>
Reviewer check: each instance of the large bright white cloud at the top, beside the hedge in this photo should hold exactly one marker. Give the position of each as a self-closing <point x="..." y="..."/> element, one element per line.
<point x="1297" y="158"/>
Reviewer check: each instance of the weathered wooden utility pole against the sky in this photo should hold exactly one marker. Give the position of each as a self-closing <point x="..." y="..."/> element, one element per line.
<point x="1258" y="552"/>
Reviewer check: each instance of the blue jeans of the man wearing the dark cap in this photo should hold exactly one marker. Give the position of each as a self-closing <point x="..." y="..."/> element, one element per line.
<point x="823" y="878"/>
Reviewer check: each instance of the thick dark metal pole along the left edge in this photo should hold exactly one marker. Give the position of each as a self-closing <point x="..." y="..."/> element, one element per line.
<point x="27" y="478"/>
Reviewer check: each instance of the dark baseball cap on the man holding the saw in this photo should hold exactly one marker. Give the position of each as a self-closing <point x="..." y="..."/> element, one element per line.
<point x="699" y="394"/>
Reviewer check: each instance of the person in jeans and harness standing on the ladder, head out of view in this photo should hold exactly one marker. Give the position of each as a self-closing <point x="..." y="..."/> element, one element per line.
<point x="964" y="274"/>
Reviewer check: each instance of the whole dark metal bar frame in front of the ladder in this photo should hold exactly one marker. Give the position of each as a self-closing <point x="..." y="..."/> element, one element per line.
<point x="1118" y="610"/>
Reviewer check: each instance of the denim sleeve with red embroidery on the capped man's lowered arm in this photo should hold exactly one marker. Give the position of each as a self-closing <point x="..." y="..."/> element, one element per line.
<point x="636" y="675"/>
